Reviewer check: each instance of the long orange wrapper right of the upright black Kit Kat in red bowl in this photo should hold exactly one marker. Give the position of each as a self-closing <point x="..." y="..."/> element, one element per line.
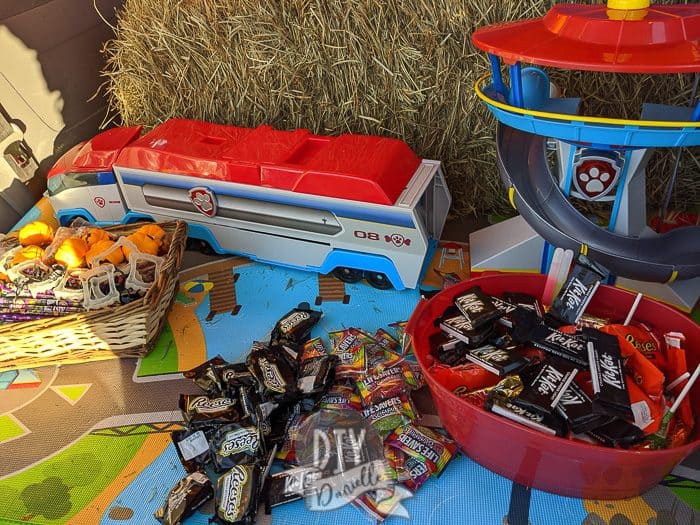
<point x="645" y="373"/>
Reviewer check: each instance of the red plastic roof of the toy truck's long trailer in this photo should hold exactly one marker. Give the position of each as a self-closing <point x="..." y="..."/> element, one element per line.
<point x="356" y="167"/>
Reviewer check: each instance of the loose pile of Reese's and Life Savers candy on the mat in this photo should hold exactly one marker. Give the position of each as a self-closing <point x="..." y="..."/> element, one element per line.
<point x="252" y="413"/>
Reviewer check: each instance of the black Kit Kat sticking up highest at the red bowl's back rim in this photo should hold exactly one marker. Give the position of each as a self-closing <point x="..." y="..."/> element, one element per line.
<point x="578" y="289"/>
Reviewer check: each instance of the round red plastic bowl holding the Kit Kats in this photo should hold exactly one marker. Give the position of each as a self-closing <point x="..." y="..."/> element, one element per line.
<point x="533" y="459"/>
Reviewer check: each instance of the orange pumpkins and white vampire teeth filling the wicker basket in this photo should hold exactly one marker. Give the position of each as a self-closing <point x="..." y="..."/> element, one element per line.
<point x="71" y="270"/>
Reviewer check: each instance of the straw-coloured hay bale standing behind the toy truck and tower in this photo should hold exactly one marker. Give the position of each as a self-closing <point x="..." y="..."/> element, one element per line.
<point x="398" y="68"/>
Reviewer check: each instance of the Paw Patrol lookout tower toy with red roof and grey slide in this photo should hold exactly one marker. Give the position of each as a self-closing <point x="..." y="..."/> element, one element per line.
<point x="597" y="159"/>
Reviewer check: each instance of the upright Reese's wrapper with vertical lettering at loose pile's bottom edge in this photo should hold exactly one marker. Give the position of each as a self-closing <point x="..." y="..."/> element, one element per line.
<point x="237" y="495"/>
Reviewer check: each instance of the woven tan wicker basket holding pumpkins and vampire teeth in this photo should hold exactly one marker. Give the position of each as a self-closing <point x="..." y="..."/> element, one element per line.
<point x="128" y="330"/>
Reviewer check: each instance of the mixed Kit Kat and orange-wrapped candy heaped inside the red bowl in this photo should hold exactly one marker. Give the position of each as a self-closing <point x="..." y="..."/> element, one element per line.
<point x="565" y="373"/>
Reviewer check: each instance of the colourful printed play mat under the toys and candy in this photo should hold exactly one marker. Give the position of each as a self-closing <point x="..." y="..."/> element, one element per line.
<point x="90" y="443"/>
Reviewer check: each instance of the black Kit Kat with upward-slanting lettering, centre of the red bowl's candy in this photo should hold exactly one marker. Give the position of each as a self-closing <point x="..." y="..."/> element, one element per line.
<point x="546" y="382"/>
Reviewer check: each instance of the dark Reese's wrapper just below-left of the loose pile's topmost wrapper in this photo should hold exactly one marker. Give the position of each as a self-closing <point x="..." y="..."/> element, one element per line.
<point x="272" y="369"/>
